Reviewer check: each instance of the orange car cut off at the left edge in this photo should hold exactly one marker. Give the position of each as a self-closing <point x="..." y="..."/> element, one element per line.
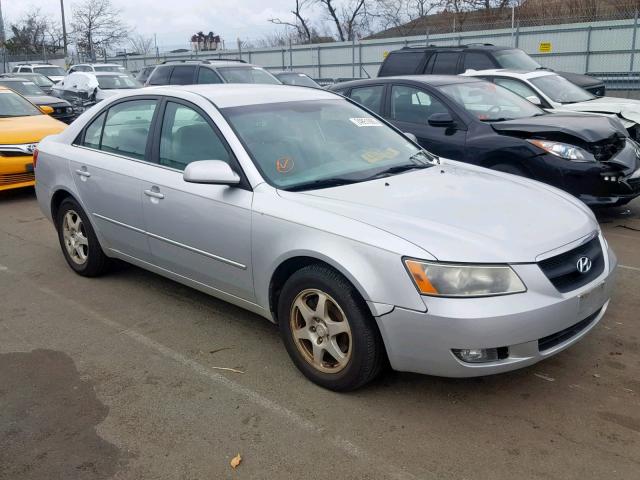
<point x="22" y="126"/>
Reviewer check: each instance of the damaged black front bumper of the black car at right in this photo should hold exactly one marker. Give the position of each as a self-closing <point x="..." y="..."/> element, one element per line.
<point x="598" y="184"/>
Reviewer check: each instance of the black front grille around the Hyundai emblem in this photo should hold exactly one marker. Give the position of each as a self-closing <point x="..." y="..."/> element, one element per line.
<point x="562" y="270"/>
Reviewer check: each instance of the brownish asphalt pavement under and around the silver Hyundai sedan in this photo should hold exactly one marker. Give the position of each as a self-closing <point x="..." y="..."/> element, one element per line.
<point x="126" y="377"/>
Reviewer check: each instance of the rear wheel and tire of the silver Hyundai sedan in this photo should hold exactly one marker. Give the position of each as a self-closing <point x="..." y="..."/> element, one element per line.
<point x="78" y="241"/>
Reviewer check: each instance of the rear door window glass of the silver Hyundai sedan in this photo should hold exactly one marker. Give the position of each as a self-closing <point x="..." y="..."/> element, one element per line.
<point x="126" y="128"/>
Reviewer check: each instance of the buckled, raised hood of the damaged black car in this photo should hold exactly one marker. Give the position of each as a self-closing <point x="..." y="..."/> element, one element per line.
<point x="588" y="128"/>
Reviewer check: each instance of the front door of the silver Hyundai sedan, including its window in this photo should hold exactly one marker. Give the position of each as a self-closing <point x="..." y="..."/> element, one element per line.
<point x="198" y="231"/>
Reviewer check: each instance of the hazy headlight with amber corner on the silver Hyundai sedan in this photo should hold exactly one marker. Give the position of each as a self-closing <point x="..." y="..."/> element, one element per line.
<point x="448" y="280"/>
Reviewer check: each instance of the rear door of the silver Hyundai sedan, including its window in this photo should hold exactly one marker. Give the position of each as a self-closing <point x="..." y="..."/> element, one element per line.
<point x="111" y="155"/>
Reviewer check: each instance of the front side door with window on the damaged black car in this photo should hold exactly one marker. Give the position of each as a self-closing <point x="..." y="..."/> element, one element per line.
<point x="409" y="110"/>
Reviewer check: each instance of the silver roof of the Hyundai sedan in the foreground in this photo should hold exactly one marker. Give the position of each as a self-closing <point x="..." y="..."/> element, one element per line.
<point x="240" y="94"/>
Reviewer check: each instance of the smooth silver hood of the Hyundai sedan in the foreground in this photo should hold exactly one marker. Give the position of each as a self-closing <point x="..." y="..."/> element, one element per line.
<point x="461" y="214"/>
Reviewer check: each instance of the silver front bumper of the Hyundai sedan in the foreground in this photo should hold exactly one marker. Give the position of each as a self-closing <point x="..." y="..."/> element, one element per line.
<point x="422" y="342"/>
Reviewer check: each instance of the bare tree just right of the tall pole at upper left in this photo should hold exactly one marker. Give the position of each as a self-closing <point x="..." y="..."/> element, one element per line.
<point x="97" y="26"/>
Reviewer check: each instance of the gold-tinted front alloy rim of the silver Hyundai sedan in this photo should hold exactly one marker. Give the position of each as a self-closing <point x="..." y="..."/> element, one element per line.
<point x="321" y="331"/>
